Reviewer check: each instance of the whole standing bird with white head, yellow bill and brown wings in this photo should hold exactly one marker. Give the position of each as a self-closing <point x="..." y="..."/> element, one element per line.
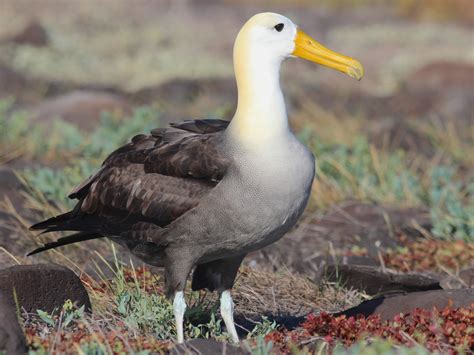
<point x="198" y="196"/>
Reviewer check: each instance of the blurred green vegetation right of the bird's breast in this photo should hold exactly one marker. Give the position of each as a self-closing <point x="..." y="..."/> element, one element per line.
<point x="359" y="170"/>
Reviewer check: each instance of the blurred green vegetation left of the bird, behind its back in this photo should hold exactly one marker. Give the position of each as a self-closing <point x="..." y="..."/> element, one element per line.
<point x="65" y="143"/>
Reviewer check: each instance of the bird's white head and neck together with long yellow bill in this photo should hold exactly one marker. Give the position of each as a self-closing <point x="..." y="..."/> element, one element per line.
<point x="262" y="44"/>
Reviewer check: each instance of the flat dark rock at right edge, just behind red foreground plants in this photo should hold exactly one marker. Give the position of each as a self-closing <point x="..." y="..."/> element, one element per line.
<point x="388" y="307"/>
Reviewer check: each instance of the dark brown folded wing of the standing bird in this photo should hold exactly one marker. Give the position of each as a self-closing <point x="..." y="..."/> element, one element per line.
<point x="148" y="183"/>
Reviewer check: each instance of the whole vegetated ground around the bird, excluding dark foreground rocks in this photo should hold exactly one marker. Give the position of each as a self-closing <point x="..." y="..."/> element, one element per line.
<point x="393" y="200"/>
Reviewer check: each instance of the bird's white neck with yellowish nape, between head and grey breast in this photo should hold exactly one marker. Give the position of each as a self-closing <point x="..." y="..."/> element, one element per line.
<point x="261" y="112"/>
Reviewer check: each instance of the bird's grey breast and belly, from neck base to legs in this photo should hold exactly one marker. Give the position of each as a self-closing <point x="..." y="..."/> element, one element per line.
<point x="253" y="206"/>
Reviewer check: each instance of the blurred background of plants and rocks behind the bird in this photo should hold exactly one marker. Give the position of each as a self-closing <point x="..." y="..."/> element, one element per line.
<point x="395" y="151"/>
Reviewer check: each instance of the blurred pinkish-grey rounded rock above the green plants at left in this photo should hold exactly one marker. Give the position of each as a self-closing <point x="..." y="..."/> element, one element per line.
<point x="81" y="107"/>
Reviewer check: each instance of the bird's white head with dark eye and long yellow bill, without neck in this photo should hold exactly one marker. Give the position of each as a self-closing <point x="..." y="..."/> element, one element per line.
<point x="271" y="37"/>
